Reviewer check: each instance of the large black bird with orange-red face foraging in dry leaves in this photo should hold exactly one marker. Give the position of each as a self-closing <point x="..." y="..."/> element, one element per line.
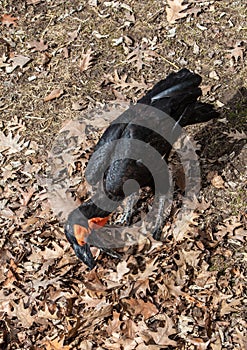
<point x="175" y="96"/>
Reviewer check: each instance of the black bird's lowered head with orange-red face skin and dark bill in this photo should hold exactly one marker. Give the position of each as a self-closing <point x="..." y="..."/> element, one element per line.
<point x="77" y="229"/>
